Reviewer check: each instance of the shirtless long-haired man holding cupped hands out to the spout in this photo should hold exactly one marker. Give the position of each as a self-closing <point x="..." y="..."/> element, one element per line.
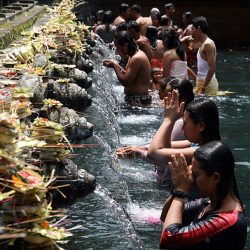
<point x="136" y="76"/>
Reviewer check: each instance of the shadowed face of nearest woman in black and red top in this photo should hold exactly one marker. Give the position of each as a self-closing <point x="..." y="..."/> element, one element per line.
<point x="205" y="184"/>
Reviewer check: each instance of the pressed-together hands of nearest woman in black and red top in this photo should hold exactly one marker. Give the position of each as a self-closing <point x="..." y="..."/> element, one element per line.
<point x="181" y="173"/>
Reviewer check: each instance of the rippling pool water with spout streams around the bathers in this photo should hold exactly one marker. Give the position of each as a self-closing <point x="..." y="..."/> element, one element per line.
<point x="123" y="212"/>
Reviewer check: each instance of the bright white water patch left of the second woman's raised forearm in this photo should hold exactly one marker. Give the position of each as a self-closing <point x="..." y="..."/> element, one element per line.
<point x="135" y="119"/>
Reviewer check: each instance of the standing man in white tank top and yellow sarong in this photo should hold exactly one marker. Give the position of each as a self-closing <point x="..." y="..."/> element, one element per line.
<point x="206" y="82"/>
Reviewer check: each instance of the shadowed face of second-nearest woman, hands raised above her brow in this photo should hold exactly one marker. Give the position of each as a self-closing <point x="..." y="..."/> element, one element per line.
<point x="192" y="130"/>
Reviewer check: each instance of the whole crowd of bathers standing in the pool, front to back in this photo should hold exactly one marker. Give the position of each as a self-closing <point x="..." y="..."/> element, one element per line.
<point x="187" y="149"/>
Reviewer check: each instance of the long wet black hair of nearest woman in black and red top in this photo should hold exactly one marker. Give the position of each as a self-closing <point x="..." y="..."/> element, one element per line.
<point x="216" y="156"/>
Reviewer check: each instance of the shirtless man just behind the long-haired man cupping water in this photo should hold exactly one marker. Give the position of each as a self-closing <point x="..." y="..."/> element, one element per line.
<point x="142" y="41"/>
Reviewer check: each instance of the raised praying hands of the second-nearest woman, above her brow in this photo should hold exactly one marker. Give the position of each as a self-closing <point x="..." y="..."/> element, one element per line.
<point x="173" y="110"/>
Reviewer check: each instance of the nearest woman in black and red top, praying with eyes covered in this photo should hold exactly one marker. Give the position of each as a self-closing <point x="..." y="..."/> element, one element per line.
<point x="216" y="221"/>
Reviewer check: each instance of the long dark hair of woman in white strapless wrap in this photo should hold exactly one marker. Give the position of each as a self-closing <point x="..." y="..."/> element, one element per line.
<point x="171" y="40"/>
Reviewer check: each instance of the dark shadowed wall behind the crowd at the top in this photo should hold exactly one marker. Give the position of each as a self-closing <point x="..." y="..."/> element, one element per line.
<point x="228" y="19"/>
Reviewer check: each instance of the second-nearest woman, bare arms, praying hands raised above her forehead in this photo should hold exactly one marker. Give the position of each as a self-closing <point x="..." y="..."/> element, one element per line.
<point x="201" y="125"/>
